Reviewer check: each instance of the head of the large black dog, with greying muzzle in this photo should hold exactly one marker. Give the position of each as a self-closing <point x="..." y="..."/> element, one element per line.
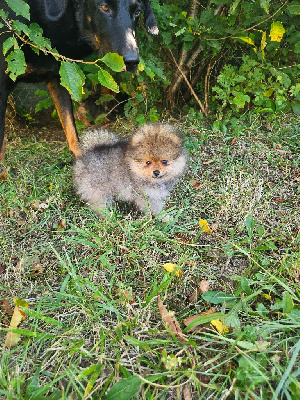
<point x="109" y="26"/>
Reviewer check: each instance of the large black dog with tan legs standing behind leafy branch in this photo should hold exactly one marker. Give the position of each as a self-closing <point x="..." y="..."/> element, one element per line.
<point x="75" y="28"/>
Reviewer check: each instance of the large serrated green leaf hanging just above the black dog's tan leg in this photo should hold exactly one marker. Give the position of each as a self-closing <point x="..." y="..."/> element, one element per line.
<point x="72" y="78"/>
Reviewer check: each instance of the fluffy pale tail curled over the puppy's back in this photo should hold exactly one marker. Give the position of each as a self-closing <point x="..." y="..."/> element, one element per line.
<point x="96" y="137"/>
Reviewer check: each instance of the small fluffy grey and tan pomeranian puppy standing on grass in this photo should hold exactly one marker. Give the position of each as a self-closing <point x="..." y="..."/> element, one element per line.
<point x="141" y="170"/>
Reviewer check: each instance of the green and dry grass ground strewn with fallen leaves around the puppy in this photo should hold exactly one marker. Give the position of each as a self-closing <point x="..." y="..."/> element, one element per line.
<point x="93" y="328"/>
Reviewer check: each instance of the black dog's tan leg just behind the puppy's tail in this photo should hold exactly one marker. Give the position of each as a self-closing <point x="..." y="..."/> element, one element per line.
<point x="63" y="104"/>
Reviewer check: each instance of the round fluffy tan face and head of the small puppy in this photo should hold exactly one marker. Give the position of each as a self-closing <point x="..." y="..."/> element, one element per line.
<point x="156" y="154"/>
